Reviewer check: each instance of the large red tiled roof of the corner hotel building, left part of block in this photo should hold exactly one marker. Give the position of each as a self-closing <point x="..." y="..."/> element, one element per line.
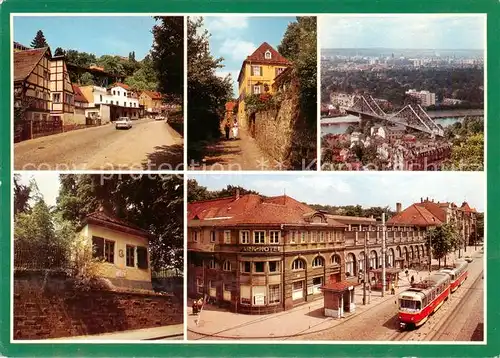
<point x="252" y="209"/>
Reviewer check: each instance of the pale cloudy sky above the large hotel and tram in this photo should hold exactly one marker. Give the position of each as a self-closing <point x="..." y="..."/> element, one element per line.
<point x="366" y="189"/>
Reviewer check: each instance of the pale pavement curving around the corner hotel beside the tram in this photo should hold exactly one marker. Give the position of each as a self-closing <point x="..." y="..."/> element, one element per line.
<point x="215" y="323"/>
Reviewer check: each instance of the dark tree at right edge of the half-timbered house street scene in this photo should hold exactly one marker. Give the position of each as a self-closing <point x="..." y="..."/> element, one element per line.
<point x="168" y="56"/>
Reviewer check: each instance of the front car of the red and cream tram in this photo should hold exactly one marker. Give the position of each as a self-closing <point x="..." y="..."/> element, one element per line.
<point x="422" y="299"/>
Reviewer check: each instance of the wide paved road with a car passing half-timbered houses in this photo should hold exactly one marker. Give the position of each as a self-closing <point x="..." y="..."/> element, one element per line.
<point x="149" y="144"/>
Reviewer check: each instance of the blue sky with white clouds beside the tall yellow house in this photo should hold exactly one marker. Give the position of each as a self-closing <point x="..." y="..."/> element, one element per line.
<point x="236" y="37"/>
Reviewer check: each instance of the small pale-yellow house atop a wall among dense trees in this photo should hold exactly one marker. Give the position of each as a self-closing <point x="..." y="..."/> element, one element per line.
<point x="122" y="249"/>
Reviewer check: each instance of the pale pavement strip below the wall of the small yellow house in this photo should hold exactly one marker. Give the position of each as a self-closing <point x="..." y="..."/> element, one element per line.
<point x="173" y="332"/>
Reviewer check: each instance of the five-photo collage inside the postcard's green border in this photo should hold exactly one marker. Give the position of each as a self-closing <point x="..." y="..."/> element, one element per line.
<point x="249" y="178"/>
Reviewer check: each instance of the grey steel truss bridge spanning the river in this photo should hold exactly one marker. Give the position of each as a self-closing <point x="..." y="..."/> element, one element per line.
<point x="410" y="116"/>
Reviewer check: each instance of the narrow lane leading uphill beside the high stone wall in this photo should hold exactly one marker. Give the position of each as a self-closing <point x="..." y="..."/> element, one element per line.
<point x="242" y="153"/>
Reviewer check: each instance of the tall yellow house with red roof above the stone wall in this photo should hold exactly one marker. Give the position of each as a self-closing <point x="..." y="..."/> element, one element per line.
<point x="257" y="75"/>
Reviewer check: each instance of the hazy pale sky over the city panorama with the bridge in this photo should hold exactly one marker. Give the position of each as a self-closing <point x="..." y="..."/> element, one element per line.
<point x="403" y="31"/>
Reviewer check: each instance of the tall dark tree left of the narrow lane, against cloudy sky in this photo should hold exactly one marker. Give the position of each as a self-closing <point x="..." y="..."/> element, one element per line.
<point x="207" y="92"/>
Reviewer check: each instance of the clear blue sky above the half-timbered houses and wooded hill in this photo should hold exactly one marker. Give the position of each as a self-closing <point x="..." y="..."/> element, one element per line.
<point x="106" y="35"/>
